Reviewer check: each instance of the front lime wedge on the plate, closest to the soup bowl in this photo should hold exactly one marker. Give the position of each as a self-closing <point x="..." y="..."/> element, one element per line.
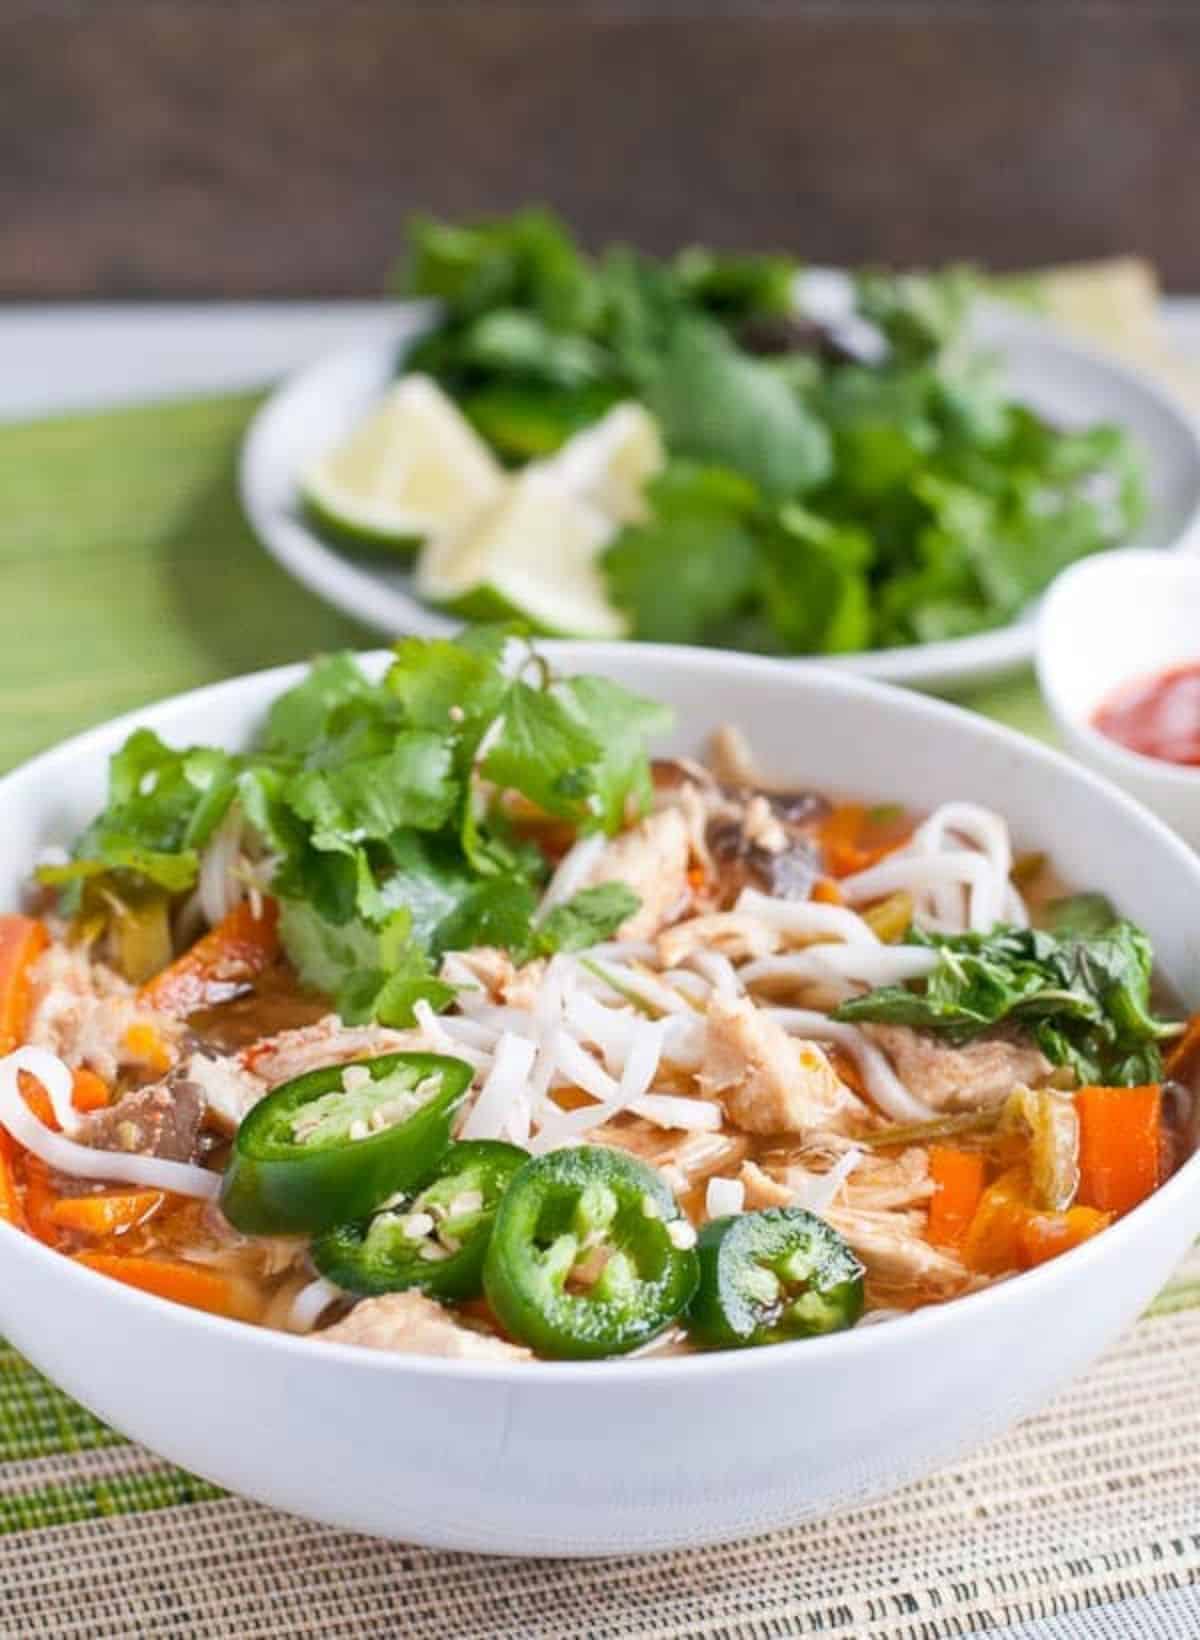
<point x="534" y="557"/>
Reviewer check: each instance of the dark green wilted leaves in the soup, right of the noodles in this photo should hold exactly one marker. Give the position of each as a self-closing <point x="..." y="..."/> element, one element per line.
<point x="1083" y="996"/>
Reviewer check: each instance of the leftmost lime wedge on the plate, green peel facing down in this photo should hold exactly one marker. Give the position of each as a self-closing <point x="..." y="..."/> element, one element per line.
<point x="412" y="471"/>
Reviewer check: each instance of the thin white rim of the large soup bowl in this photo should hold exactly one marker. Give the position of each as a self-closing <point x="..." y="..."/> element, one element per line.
<point x="932" y="1319"/>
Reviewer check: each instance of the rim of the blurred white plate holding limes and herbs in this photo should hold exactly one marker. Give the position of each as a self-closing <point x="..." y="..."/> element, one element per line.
<point x="358" y="590"/>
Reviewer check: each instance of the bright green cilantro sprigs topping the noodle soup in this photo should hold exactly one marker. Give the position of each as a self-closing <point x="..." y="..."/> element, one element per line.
<point x="381" y="811"/>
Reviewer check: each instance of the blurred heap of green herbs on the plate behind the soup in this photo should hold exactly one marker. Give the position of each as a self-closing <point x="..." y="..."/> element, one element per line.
<point x="932" y="504"/>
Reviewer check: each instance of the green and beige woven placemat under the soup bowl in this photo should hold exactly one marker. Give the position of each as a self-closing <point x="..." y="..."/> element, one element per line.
<point x="129" y="573"/>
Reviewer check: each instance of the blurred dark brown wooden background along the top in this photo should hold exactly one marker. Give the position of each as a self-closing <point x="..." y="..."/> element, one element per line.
<point x="273" y="147"/>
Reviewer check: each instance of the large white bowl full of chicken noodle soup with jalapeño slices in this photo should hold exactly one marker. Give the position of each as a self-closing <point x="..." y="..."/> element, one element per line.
<point x="583" y="1100"/>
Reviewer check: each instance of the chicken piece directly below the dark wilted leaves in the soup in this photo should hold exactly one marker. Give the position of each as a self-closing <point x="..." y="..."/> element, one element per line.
<point x="975" y="1077"/>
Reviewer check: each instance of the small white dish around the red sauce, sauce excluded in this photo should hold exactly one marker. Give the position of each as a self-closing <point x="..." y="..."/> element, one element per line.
<point x="1106" y="622"/>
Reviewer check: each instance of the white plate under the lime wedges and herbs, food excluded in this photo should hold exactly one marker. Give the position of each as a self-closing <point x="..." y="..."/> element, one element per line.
<point x="322" y="404"/>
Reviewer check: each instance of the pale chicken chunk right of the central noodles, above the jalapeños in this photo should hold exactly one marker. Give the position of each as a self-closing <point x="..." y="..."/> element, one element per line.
<point x="768" y="1082"/>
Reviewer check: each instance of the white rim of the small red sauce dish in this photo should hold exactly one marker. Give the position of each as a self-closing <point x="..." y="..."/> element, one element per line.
<point x="1129" y="562"/>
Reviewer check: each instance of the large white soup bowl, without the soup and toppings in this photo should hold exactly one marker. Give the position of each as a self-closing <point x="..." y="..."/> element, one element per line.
<point x="560" y="1459"/>
